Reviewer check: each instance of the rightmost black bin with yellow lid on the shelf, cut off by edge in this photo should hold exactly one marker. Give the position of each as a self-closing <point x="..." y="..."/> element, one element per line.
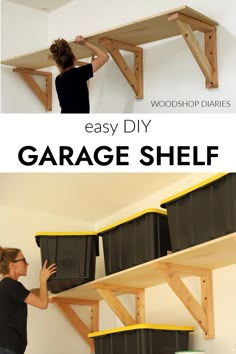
<point x="203" y="212"/>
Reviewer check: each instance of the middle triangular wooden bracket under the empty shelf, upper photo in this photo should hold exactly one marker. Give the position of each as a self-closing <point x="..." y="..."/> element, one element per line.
<point x="135" y="79"/>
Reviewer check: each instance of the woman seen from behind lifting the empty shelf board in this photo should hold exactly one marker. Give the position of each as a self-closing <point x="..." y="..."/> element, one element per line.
<point x="71" y="84"/>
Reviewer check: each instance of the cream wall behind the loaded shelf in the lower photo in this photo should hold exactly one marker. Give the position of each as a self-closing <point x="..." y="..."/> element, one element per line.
<point x="49" y="331"/>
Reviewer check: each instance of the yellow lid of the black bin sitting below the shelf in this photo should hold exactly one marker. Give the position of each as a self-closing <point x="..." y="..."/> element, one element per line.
<point x="162" y="327"/>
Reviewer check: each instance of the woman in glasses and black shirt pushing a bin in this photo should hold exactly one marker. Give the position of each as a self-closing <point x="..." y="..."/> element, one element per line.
<point x="14" y="298"/>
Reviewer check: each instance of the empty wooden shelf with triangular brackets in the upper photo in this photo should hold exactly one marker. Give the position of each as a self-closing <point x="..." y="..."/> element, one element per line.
<point x="180" y="21"/>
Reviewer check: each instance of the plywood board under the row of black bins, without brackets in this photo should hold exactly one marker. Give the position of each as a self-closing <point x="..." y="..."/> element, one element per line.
<point x="211" y="255"/>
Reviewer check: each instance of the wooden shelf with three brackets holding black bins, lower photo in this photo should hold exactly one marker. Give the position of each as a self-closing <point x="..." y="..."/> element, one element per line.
<point x="197" y="261"/>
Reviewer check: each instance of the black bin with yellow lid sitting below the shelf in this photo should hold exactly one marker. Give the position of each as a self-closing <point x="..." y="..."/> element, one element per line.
<point x="142" y="339"/>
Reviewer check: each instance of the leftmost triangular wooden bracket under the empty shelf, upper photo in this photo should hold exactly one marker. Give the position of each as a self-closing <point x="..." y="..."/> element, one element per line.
<point x="44" y="97"/>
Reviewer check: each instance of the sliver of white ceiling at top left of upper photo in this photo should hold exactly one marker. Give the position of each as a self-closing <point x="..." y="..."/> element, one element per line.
<point x="43" y="5"/>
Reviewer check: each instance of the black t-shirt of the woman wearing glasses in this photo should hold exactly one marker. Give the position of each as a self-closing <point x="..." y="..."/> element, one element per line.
<point x="13" y="315"/>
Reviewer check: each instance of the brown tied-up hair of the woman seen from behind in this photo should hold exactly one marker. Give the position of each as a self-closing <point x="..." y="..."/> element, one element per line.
<point x="62" y="53"/>
